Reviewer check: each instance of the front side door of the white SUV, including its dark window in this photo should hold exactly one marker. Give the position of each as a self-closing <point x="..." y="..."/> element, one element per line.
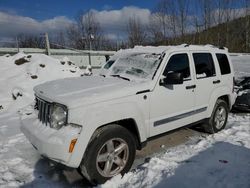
<point x="172" y="106"/>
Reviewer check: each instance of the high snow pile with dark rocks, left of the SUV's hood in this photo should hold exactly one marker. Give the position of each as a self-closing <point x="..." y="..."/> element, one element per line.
<point x="21" y="72"/>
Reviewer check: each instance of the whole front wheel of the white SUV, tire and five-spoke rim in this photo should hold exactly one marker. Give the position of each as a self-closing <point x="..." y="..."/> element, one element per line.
<point x="111" y="151"/>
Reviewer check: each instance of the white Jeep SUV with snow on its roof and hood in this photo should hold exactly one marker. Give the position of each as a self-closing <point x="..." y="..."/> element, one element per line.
<point x="97" y="123"/>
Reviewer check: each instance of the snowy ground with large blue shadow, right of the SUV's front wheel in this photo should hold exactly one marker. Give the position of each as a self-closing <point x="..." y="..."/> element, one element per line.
<point x="219" y="160"/>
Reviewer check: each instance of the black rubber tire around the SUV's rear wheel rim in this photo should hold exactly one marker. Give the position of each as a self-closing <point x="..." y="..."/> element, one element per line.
<point x="210" y="125"/>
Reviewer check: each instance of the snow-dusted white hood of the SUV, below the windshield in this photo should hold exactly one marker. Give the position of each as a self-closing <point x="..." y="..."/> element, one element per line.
<point x="78" y="91"/>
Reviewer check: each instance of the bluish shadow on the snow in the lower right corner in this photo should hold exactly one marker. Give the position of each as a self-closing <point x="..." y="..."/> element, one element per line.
<point x="222" y="165"/>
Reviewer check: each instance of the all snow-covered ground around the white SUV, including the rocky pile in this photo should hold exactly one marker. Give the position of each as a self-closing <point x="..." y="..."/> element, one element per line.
<point x="220" y="160"/>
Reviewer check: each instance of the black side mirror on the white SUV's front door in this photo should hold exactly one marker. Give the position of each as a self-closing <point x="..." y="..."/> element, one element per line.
<point x="172" y="78"/>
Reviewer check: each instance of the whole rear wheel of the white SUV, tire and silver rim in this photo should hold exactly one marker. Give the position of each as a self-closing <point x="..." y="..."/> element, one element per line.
<point x="218" y="119"/>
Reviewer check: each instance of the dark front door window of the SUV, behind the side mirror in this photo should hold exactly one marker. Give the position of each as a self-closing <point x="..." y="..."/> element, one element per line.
<point x="179" y="63"/>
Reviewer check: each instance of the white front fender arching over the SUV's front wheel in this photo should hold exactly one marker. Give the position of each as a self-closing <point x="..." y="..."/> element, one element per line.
<point x="97" y="115"/>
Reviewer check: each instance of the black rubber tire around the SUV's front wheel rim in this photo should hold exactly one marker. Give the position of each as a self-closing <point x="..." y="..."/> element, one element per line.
<point x="89" y="167"/>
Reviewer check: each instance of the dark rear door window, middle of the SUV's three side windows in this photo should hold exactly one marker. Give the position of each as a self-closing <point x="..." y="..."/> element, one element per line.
<point x="204" y="65"/>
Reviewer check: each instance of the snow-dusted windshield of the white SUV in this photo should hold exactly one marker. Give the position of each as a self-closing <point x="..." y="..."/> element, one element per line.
<point x="136" y="66"/>
